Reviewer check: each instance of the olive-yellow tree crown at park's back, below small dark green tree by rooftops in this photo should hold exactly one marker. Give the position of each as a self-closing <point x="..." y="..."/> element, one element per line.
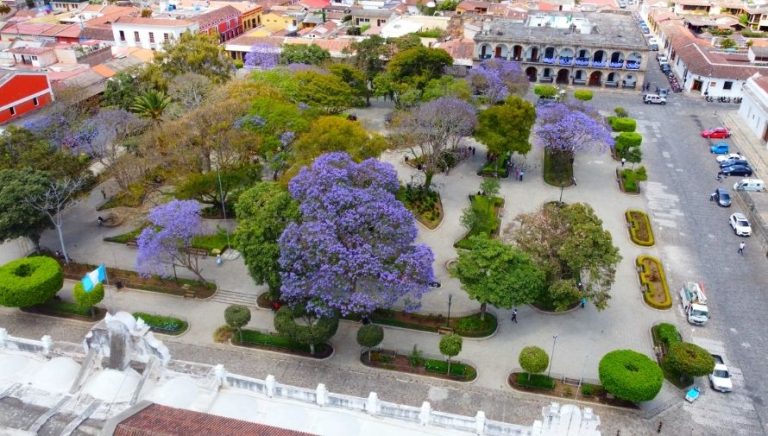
<point x="324" y="91"/>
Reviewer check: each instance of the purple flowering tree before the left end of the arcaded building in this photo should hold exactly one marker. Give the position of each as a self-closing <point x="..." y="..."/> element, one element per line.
<point x="496" y="79"/>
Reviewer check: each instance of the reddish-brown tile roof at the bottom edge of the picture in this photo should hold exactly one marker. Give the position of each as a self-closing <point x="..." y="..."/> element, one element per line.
<point x="157" y="420"/>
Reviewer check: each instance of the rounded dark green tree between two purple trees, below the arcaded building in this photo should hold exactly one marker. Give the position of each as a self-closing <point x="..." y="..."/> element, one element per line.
<point x="506" y="128"/>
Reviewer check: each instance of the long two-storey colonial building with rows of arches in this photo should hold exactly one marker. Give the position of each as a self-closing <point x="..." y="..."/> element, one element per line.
<point x="600" y="49"/>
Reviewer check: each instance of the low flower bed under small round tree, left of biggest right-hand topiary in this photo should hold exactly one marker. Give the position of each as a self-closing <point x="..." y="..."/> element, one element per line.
<point x="542" y="384"/>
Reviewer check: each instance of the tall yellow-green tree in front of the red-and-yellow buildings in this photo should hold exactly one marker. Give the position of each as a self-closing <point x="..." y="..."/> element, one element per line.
<point x="194" y="52"/>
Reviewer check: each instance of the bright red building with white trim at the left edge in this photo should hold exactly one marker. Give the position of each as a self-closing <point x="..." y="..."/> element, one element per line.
<point x="21" y="93"/>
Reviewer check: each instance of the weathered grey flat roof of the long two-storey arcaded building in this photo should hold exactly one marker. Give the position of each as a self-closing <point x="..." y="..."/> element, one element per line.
<point x="605" y="29"/>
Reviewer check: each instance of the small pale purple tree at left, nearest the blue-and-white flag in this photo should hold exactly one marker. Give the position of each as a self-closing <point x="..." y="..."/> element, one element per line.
<point x="167" y="241"/>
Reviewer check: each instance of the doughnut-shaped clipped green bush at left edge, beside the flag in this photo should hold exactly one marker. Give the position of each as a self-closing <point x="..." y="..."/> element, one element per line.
<point x="29" y="281"/>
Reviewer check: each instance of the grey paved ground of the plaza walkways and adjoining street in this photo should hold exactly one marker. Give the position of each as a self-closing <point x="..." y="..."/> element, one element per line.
<point x="692" y="241"/>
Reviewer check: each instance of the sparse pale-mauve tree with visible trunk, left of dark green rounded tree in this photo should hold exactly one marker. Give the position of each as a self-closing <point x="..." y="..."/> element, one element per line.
<point x="431" y="128"/>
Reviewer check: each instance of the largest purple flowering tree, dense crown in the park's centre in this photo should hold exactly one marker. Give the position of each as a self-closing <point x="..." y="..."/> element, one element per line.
<point x="353" y="250"/>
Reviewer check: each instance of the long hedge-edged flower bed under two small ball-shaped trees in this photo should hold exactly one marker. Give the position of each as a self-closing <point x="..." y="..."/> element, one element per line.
<point x="429" y="367"/>
